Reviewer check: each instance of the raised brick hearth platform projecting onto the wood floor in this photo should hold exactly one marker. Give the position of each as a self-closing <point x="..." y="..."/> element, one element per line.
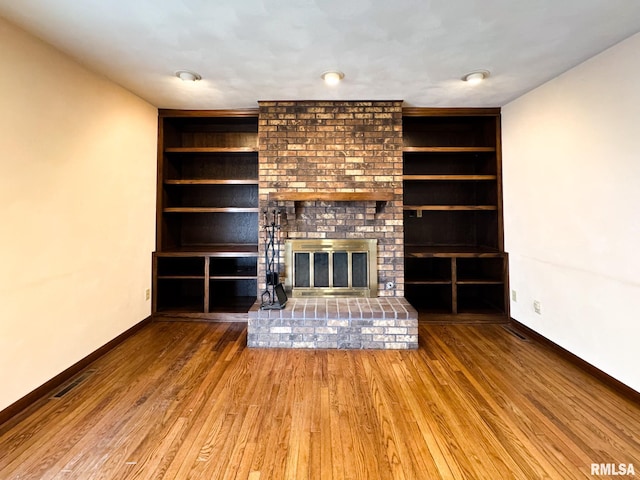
<point x="346" y="323"/>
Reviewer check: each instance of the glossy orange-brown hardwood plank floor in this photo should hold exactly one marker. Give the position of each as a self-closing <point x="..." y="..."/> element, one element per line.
<point x="188" y="400"/>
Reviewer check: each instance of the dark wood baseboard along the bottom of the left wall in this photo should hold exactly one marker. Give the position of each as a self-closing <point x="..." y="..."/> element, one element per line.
<point x="13" y="411"/>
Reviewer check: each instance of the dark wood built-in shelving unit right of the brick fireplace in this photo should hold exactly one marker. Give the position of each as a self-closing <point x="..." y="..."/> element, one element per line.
<point x="455" y="264"/>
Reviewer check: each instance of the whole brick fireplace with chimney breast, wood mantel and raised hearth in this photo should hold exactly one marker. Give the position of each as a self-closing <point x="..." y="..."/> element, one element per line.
<point x="334" y="170"/>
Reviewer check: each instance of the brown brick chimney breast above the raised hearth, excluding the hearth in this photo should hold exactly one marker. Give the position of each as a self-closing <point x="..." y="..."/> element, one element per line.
<point x="336" y="147"/>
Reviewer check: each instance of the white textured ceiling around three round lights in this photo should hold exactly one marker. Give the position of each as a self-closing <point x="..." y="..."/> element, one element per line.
<point x="250" y="50"/>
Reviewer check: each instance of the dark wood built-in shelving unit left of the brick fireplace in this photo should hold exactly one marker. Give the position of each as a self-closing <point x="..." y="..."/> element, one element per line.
<point x="205" y="264"/>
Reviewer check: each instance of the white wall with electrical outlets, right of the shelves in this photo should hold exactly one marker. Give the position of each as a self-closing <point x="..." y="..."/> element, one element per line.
<point x="571" y="159"/>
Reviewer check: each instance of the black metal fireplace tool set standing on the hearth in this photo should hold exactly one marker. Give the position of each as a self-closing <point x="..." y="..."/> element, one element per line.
<point x="274" y="296"/>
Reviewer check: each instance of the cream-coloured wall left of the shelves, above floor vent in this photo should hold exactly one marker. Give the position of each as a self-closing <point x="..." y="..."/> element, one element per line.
<point x="77" y="209"/>
